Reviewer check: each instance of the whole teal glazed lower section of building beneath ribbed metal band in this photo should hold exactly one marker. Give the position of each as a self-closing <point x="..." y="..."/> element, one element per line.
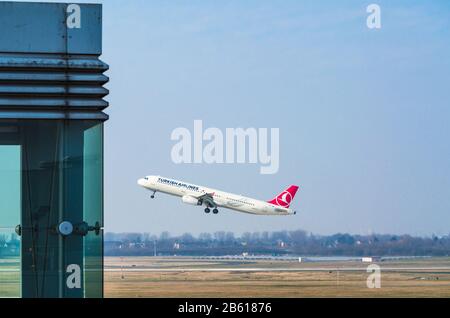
<point x="54" y="176"/>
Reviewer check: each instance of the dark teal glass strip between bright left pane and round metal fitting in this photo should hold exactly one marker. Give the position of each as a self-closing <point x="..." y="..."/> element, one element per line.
<point x="43" y="207"/>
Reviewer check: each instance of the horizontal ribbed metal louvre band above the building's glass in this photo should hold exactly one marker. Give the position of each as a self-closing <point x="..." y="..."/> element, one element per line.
<point x="37" y="82"/>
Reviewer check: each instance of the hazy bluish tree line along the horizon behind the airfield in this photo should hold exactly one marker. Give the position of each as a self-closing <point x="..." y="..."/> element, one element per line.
<point x="297" y="242"/>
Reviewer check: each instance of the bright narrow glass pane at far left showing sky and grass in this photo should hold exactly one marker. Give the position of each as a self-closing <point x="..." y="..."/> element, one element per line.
<point x="10" y="202"/>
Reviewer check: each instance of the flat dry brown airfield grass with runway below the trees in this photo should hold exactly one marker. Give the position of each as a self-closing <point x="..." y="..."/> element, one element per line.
<point x="186" y="277"/>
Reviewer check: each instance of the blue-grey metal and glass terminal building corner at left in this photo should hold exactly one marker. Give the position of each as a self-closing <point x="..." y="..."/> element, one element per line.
<point x="51" y="150"/>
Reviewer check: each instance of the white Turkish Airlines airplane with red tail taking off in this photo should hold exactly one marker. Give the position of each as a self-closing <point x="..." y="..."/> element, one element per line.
<point x="214" y="199"/>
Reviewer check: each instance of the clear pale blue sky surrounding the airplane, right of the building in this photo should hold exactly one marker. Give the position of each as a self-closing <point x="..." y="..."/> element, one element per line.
<point x="363" y="114"/>
